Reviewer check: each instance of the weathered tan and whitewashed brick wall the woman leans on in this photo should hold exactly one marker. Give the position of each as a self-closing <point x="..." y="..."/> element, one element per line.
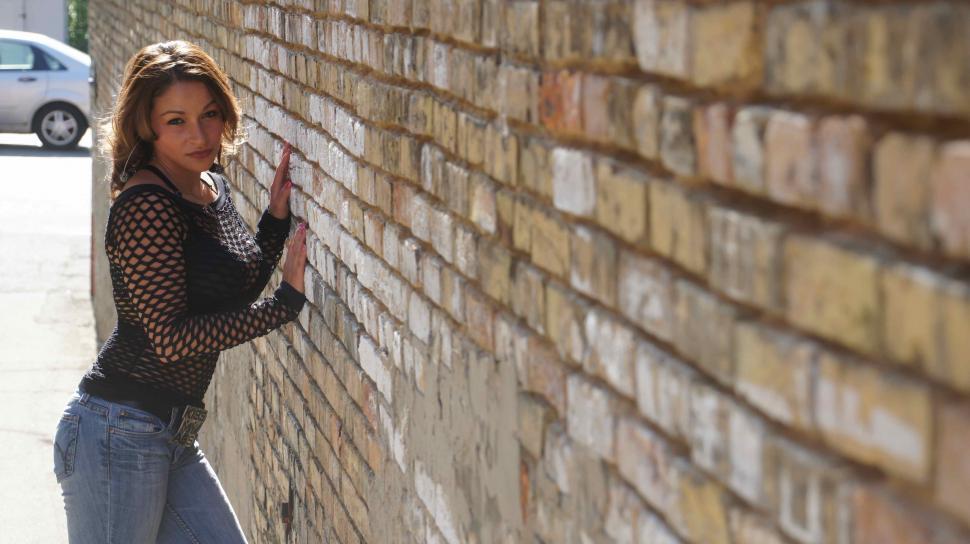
<point x="653" y="271"/>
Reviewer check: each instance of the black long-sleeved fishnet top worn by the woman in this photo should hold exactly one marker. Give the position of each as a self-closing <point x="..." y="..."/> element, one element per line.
<point x="185" y="279"/>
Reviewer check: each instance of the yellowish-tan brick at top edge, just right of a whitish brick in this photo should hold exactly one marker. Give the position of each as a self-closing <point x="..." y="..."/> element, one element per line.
<point x="725" y="45"/>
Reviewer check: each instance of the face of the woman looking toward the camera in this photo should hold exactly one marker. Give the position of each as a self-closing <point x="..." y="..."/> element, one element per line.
<point x="189" y="125"/>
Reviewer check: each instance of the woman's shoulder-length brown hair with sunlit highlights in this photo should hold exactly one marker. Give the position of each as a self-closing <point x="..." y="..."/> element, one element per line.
<point x="127" y="135"/>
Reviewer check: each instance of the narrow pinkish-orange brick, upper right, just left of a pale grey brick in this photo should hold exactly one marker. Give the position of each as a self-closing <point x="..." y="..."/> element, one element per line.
<point x="712" y="135"/>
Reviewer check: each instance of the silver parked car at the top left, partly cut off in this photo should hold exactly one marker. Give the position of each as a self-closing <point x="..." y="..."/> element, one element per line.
<point x="44" y="88"/>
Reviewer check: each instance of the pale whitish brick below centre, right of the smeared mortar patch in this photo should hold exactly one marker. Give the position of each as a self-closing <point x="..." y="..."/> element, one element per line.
<point x="590" y="416"/>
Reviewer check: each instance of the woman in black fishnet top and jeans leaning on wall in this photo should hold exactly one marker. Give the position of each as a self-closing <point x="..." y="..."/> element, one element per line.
<point x="186" y="274"/>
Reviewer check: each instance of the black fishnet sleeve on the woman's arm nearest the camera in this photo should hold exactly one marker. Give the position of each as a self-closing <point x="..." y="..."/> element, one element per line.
<point x="147" y="232"/>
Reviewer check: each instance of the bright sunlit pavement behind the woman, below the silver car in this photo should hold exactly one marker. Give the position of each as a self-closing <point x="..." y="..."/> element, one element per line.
<point x="47" y="337"/>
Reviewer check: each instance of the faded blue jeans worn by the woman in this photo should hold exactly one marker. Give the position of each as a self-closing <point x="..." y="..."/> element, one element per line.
<point x="124" y="482"/>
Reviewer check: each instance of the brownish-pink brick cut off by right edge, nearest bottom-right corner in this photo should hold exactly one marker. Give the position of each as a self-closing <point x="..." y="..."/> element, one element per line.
<point x="952" y="464"/>
